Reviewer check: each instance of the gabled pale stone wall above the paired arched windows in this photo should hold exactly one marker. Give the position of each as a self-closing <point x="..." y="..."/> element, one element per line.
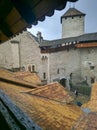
<point x="29" y="51"/>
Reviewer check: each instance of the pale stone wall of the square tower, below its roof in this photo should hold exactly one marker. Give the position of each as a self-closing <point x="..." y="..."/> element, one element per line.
<point x="72" y="26"/>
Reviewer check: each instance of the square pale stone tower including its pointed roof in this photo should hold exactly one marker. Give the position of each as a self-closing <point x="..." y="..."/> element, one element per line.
<point x="72" y="23"/>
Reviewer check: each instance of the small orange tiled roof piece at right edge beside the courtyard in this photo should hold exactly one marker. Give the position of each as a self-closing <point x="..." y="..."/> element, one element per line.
<point x="92" y="104"/>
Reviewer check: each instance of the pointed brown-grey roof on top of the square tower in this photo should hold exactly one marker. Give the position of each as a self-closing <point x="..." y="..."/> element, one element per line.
<point x="71" y="12"/>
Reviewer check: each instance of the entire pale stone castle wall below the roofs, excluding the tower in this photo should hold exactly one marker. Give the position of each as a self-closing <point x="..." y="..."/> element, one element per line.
<point x="81" y="64"/>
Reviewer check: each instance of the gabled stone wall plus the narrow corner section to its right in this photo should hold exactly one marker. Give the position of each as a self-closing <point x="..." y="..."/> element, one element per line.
<point x="30" y="55"/>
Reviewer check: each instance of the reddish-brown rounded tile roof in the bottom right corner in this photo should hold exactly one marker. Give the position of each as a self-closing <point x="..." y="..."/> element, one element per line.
<point x="87" y="122"/>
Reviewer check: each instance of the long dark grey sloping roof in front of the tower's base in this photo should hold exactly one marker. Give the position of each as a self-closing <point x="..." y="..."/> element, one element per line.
<point x="89" y="37"/>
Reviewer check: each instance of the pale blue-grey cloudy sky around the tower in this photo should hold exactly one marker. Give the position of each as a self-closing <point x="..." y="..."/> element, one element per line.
<point x="51" y="27"/>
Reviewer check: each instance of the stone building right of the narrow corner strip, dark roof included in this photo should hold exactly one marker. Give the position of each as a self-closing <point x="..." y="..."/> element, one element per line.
<point x="74" y="59"/>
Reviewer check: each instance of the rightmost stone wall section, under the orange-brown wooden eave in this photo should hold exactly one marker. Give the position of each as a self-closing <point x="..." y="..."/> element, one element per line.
<point x="89" y="64"/>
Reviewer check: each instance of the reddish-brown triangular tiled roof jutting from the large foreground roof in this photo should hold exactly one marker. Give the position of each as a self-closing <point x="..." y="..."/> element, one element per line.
<point x="53" y="91"/>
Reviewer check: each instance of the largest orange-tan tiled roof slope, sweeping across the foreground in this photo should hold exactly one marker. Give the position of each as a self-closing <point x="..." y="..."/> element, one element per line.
<point x="48" y="114"/>
